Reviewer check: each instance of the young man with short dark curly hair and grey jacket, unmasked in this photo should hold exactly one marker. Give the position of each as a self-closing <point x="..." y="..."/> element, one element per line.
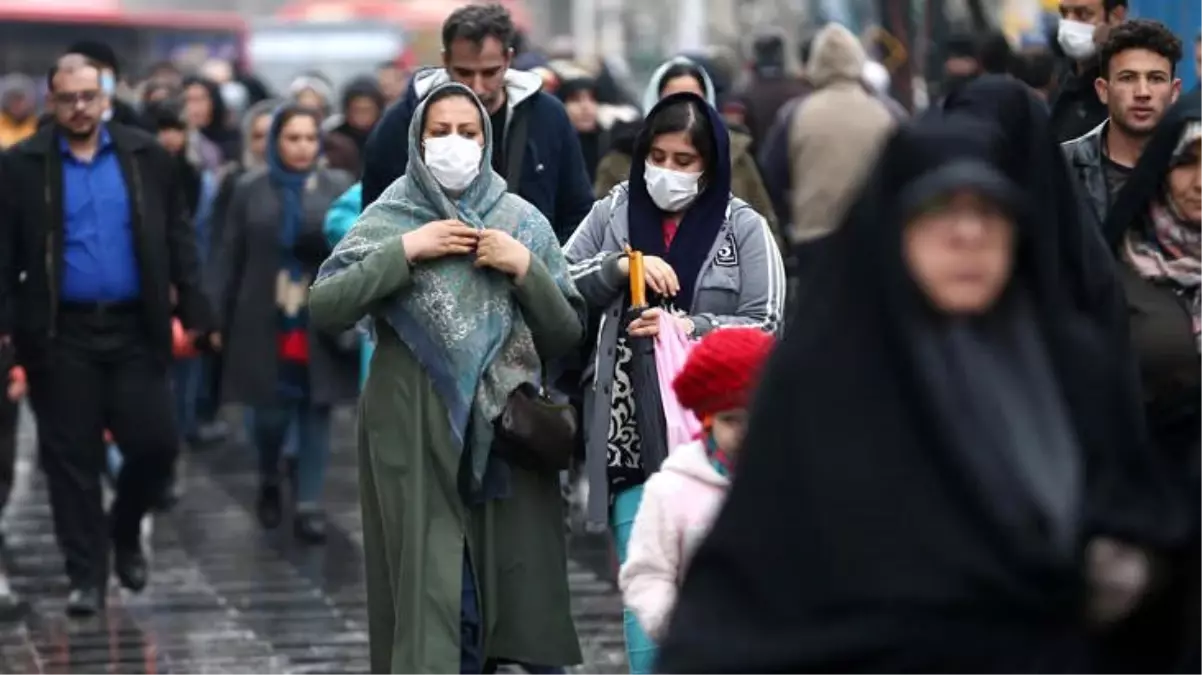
<point x="1138" y="83"/>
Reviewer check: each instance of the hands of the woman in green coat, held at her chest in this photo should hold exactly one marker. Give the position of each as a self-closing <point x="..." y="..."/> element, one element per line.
<point x="493" y="248"/>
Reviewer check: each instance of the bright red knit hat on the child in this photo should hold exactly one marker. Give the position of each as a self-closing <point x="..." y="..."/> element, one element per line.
<point x="723" y="371"/>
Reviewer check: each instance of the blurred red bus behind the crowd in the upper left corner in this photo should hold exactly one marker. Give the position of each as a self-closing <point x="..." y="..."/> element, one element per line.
<point x="33" y="35"/>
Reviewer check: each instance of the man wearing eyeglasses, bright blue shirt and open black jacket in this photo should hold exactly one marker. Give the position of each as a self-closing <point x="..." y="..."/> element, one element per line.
<point x="94" y="248"/>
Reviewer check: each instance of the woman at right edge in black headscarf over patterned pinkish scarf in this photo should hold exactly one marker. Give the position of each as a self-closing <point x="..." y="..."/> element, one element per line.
<point x="1156" y="231"/>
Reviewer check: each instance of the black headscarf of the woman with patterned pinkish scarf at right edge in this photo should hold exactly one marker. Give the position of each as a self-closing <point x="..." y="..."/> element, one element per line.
<point x="1147" y="181"/>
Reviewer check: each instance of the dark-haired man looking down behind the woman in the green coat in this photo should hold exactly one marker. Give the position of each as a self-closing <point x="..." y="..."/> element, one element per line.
<point x="534" y="145"/>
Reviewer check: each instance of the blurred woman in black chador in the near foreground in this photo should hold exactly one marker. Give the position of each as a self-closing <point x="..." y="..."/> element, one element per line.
<point x="914" y="499"/>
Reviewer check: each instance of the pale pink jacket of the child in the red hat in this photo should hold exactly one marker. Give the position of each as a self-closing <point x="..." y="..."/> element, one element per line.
<point x="680" y="504"/>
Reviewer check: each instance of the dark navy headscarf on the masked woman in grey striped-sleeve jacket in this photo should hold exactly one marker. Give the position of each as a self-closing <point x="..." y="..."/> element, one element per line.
<point x="703" y="222"/>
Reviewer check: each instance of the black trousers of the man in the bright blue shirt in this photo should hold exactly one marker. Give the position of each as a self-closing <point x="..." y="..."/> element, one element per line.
<point x="102" y="374"/>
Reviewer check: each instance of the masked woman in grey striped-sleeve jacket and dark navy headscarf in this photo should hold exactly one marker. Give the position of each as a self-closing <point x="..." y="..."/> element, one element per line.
<point x="711" y="260"/>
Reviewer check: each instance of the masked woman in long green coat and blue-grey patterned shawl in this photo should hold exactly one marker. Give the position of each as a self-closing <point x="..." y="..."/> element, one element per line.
<point x="469" y="295"/>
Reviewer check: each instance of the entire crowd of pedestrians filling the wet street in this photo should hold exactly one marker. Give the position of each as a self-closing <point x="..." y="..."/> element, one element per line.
<point x="555" y="300"/>
